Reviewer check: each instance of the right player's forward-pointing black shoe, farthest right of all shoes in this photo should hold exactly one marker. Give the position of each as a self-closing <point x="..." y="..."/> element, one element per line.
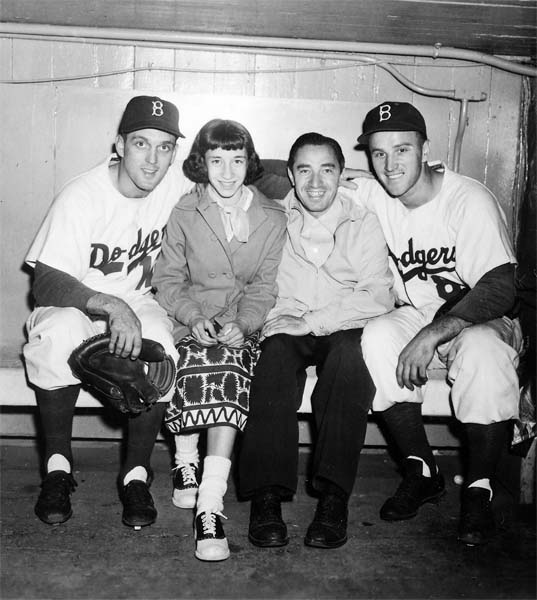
<point x="476" y="524"/>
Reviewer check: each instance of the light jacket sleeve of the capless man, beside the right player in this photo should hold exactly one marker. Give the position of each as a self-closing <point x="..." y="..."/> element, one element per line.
<point x="373" y="291"/>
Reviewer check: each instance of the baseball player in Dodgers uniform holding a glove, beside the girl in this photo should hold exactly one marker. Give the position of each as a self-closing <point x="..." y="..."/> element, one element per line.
<point x="93" y="257"/>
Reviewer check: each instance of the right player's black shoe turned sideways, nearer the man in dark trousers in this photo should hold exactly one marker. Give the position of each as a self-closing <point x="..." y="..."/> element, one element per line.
<point x="413" y="491"/>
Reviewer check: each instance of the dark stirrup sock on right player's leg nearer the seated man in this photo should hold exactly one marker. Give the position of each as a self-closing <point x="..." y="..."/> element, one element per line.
<point x="405" y="425"/>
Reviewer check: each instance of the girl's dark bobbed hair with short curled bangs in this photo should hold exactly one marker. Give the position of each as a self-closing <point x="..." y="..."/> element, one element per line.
<point x="228" y="135"/>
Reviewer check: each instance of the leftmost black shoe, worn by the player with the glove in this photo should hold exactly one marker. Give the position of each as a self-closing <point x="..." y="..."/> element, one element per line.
<point x="54" y="503"/>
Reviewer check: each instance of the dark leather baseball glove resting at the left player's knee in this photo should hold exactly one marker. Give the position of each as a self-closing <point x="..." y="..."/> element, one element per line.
<point x="131" y="386"/>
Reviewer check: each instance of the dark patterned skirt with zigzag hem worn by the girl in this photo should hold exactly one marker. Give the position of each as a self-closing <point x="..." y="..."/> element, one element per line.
<point x="212" y="385"/>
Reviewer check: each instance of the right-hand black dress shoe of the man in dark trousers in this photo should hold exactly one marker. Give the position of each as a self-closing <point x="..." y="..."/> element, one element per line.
<point x="329" y="526"/>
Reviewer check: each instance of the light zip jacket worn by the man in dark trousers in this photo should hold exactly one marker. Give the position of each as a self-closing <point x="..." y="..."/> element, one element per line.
<point x="353" y="285"/>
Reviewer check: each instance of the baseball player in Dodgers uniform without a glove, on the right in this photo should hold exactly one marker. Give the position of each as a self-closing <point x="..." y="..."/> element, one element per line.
<point x="454" y="281"/>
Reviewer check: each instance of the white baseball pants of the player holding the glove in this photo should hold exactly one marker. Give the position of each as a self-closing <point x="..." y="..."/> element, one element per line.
<point x="53" y="333"/>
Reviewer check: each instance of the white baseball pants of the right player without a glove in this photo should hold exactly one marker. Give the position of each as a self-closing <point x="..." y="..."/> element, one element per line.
<point x="480" y="364"/>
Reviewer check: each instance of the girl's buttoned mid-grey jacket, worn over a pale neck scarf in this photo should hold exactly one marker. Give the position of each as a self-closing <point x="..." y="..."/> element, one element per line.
<point x="200" y="273"/>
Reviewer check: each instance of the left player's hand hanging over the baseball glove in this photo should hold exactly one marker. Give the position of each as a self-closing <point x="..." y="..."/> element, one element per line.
<point x="124" y="326"/>
